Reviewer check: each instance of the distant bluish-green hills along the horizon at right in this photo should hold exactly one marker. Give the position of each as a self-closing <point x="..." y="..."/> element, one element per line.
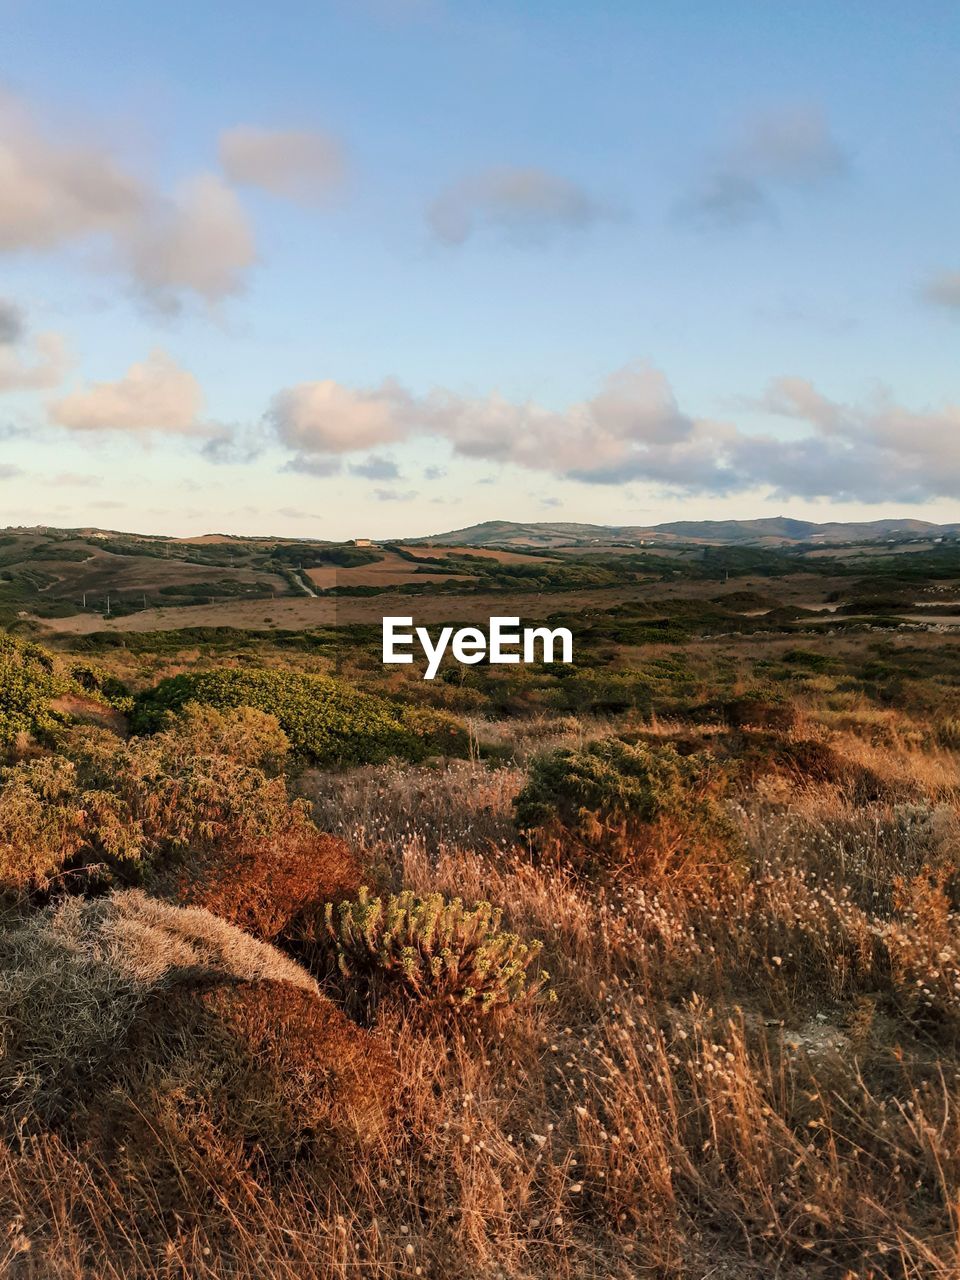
<point x="767" y="532"/>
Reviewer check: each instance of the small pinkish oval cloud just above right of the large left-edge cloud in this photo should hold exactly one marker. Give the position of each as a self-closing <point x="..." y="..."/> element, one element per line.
<point x="299" y="164"/>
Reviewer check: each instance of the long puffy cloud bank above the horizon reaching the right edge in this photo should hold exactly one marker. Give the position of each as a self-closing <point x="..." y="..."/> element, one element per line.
<point x="634" y="429"/>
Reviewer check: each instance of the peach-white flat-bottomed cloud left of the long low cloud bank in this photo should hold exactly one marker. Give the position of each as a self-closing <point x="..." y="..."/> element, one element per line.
<point x="156" y="395"/>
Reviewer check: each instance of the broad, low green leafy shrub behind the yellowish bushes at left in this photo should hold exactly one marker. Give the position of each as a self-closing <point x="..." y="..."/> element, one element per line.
<point x="326" y="720"/>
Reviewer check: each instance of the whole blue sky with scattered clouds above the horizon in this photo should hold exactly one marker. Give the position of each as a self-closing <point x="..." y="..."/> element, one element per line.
<point x="388" y="268"/>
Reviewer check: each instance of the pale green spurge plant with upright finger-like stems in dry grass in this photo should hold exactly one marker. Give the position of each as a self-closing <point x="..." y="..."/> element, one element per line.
<point x="436" y="950"/>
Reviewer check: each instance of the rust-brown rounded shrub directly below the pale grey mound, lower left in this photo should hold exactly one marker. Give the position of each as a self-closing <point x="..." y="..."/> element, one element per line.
<point x="267" y="1071"/>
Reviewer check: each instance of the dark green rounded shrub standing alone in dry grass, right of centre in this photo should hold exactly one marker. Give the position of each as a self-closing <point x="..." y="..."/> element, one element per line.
<point x="602" y="797"/>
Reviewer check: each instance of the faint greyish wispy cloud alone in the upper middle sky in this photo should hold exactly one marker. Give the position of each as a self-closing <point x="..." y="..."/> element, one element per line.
<point x="525" y="205"/>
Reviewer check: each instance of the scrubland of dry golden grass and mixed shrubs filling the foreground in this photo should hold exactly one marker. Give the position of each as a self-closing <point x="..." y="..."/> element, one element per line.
<point x="646" y="968"/>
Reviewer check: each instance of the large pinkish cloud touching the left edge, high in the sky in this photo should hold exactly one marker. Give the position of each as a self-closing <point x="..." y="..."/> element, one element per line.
<point x="66" y="193"/>
